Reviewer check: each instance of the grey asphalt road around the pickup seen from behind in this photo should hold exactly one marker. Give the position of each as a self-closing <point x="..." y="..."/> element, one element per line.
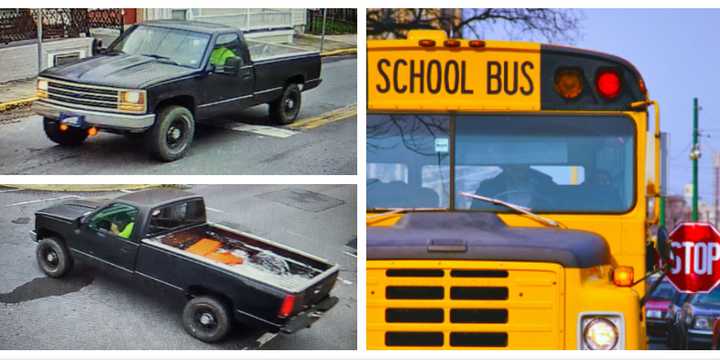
<point x="92" y="309"/>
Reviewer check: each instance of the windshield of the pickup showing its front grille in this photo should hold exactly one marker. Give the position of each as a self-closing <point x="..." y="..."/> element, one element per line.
<point x="184" y="48"/>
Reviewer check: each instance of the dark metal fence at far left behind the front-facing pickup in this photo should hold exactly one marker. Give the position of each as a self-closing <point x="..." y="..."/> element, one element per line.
<point x="21" y="24"/>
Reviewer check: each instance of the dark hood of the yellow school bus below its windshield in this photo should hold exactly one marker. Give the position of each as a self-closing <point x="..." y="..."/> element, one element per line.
<point x="482" y="236"/>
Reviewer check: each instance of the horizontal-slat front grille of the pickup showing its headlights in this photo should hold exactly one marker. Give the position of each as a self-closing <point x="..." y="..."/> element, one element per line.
<point x="85" y="96"/>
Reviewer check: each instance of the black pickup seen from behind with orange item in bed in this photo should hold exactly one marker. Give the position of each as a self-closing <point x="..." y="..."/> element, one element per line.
<point x="161" y="236"/>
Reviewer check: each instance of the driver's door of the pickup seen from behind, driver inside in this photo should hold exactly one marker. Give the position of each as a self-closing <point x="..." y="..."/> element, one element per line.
<point x="108" y="235"/>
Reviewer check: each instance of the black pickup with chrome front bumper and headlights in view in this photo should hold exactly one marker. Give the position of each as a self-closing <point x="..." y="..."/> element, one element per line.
<point x="160" y="77"/>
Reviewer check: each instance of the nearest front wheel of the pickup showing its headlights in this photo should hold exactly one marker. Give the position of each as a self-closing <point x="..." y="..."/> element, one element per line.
<point x="172" y="134"/>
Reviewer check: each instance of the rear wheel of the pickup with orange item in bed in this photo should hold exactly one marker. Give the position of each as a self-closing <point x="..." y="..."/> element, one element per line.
<point x="206" y="319"/>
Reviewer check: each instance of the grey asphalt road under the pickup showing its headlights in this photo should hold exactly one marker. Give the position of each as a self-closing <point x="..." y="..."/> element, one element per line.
<point x="243" y="144"/>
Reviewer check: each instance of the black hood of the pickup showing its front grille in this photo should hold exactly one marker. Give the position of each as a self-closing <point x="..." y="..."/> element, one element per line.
<point x="120" y="71"/>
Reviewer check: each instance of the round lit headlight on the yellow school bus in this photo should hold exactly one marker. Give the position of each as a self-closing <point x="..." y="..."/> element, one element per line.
<point x="601" y="332"/>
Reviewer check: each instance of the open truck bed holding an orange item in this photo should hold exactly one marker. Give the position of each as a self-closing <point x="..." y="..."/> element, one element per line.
<point x="248" y="255"/>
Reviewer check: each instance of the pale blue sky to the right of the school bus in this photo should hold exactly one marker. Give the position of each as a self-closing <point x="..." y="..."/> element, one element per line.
<point x="678" y="54"/>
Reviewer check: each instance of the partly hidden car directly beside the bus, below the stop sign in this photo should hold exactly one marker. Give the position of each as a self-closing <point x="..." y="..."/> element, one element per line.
<point x="659" y="311"/>
